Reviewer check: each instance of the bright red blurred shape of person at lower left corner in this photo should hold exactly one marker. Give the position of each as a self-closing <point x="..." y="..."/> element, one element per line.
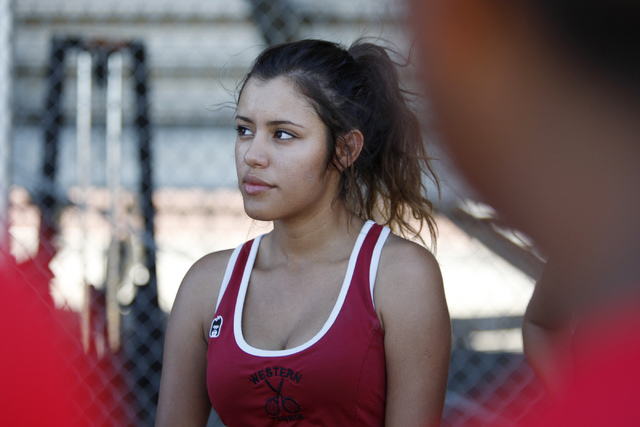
<point x="35" y="382"/>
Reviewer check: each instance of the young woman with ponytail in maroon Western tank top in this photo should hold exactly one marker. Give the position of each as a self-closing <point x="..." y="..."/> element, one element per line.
<point x="329" y="319"/>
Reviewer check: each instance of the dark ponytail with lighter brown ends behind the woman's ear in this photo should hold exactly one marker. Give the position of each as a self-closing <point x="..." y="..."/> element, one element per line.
<point x="387" y="183"/>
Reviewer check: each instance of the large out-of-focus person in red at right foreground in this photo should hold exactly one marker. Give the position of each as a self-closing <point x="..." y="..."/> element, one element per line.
<point x="538" y="103"/>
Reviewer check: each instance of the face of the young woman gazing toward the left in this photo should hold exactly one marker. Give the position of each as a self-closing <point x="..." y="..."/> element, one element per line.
<point x="281" y="153"/>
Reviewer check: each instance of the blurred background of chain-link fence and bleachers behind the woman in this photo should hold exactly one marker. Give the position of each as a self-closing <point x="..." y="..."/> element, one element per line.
<point x="117" y="173"/>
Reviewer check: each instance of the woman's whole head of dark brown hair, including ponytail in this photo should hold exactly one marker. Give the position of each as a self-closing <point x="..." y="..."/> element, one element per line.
<point x="359" y="89"/>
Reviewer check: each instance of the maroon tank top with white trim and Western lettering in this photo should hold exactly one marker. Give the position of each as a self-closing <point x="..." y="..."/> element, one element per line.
<point x="337" y="378"/>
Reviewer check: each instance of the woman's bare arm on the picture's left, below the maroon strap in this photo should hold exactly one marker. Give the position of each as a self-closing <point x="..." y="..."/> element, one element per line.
<point x="183" y="389"/>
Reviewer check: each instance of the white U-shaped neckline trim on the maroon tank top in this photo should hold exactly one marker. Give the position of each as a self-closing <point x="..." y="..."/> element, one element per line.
<point x="242" y="292"/>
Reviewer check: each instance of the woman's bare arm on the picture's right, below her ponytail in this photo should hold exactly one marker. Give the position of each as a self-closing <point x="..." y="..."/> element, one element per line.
<point x="411" y="302"/>
